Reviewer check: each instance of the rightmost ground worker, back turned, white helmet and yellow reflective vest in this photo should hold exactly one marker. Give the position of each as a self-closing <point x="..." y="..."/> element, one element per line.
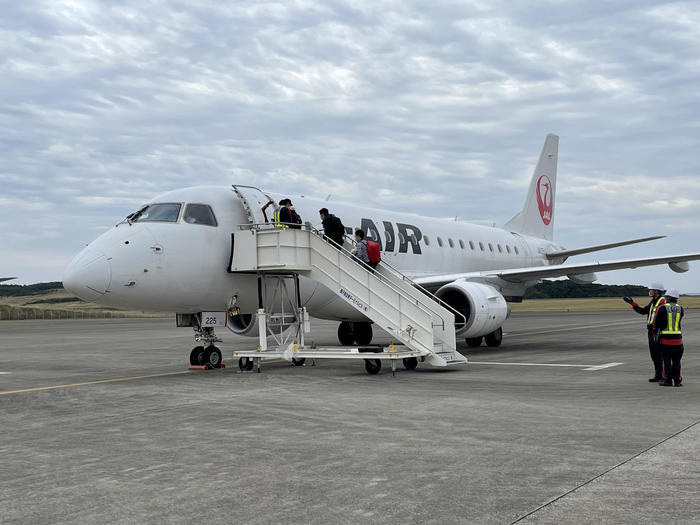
<point x="667" y="327"/>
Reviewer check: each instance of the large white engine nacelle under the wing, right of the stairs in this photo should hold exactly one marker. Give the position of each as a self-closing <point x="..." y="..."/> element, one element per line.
<point x="482" y="305"/>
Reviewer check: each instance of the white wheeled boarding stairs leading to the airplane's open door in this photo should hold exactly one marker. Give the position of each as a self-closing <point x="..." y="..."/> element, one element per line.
<point x="423" y="329"/>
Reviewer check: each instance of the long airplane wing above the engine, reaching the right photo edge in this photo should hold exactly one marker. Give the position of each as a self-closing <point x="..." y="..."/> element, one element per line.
<point x="535" y="273"/>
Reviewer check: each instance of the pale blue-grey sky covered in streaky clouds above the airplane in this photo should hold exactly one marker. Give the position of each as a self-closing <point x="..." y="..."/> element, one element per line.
<point x="437" y="108"/>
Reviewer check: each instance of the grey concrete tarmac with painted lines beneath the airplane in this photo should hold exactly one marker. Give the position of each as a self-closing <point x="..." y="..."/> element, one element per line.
<point x="101" y="423"/>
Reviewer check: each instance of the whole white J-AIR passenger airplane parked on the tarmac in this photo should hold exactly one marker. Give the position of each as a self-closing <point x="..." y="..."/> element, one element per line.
<point x="173" y="254"/>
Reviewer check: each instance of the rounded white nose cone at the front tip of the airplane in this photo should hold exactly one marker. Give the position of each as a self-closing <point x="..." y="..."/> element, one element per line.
<point x="88" y="276"/>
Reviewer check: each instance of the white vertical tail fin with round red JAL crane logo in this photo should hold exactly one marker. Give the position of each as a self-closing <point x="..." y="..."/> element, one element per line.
<point x="537" y="216"/>
